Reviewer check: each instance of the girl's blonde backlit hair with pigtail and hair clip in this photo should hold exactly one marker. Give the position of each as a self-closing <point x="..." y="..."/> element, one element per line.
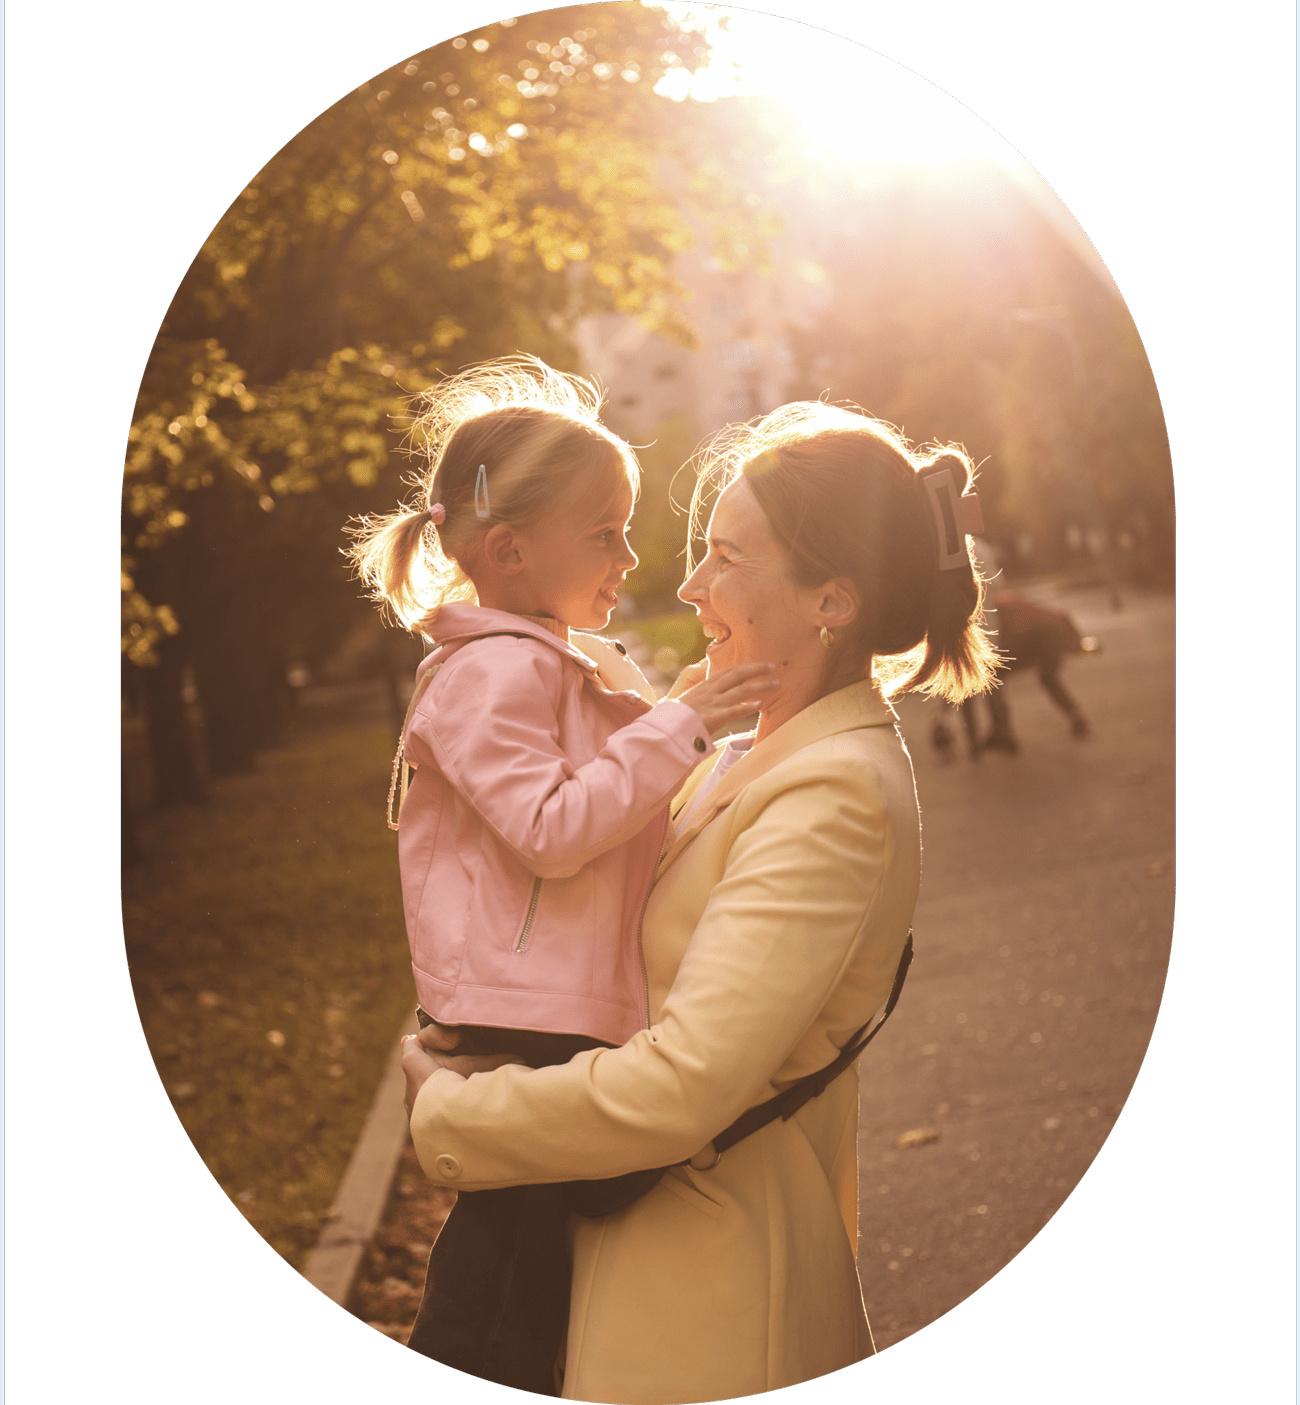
<point x="538" y="436"/>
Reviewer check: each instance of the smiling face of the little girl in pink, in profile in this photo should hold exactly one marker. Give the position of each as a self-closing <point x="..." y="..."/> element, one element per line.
<point x="577" y="558"/>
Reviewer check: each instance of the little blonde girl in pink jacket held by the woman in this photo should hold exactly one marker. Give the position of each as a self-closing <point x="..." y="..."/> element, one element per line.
<point x="539" y="804"/>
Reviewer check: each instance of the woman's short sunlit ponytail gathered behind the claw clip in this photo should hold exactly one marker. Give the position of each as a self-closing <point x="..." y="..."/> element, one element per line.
<point x="959" y="657"/>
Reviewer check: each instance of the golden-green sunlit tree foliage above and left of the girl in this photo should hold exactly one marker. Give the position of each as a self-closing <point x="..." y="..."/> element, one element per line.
<point x="473" y="202"/>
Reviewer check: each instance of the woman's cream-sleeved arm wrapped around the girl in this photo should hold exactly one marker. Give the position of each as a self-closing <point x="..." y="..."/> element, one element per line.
<point x="782" y="941"/>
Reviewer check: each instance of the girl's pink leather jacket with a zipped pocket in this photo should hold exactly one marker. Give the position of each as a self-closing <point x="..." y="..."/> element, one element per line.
<point x="533" y="827"/>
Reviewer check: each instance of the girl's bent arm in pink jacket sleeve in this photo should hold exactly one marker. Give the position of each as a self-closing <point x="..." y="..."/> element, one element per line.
<point x="490" y="724"/>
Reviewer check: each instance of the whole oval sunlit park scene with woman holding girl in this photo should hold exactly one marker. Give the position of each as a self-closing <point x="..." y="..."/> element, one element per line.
<point x="434" y="692"/>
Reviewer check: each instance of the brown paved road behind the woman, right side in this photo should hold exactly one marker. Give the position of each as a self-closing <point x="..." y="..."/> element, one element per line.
<point x="1042" y="942"/>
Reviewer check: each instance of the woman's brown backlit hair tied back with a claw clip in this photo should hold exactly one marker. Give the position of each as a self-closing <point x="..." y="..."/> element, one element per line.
<point x="844" y="498"/>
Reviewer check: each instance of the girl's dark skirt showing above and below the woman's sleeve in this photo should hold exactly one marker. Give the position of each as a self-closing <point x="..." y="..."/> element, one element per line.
<point x="497" y="1293"/>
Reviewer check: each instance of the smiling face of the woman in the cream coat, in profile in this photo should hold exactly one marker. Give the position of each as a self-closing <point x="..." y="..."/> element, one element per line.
<point x="748" y="605"/>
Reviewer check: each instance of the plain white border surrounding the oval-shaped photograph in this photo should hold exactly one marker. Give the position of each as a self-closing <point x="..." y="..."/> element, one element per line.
<point x="1169" y="131"/>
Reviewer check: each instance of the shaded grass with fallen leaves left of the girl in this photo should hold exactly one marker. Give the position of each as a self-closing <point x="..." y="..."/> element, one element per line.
<point x="271" y="969"/>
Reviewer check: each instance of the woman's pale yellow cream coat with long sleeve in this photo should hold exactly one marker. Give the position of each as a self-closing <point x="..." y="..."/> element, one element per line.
<point x="772" y="934"/>
